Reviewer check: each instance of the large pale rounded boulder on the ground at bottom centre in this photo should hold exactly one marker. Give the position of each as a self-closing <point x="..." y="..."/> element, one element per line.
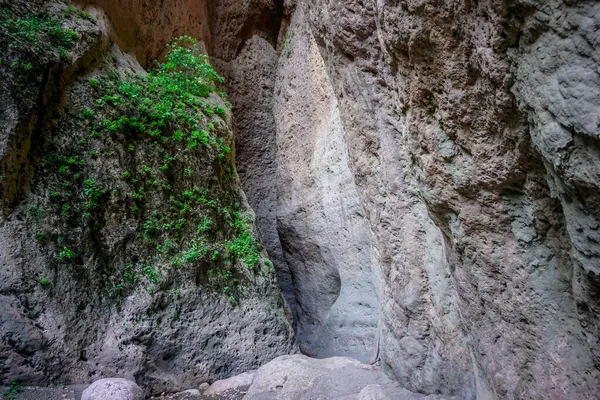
<point x="299" y="377"/>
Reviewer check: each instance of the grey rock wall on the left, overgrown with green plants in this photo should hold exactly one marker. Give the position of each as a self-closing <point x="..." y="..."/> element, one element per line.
<point x="108" y="267"/>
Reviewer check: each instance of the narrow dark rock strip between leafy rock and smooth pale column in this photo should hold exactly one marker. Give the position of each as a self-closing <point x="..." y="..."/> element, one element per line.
<point x="251" y="81"/>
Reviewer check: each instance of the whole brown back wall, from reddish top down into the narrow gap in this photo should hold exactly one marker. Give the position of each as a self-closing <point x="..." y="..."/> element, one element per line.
<point x="240" y="38"/>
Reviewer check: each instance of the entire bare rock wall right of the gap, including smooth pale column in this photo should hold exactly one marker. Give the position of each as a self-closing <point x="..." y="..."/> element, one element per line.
<point x="458" y="140"/>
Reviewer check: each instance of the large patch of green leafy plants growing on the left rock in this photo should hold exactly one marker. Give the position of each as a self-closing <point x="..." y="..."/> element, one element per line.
<point x="164" y="115"/>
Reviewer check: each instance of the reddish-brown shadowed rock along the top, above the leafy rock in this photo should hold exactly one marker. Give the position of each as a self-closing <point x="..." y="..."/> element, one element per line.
<point x="144" y="28"/>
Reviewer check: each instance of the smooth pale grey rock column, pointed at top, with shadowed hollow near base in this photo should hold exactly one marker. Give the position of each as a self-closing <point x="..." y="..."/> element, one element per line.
<point x="320" y="220"/>
